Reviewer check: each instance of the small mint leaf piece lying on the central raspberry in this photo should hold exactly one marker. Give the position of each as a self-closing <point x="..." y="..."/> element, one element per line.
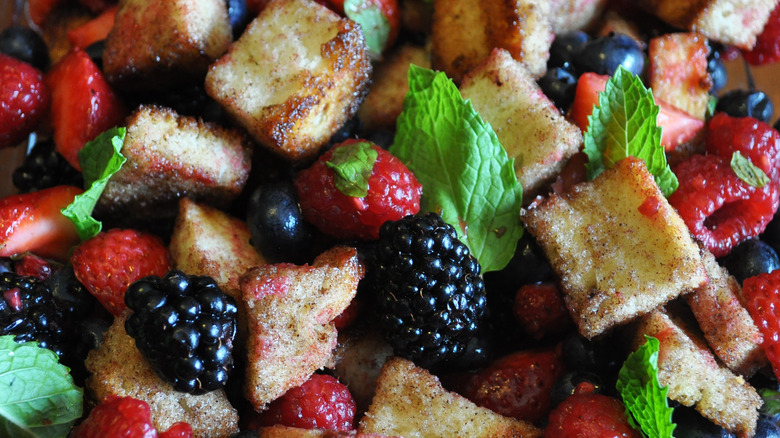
<point x="352" y="165"/>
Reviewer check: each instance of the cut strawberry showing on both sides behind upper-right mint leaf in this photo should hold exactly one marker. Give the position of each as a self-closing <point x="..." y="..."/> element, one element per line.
<point x="678" y="126"/>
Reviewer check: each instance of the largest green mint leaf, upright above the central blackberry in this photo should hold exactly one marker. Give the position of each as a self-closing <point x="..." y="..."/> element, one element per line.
<point x="466" y="175"/>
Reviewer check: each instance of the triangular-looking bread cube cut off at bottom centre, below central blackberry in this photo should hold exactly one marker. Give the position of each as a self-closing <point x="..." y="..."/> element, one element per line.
<point x="411" y="402"/>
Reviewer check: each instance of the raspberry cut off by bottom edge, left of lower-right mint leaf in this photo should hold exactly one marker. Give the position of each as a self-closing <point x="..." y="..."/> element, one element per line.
<point x="585" y="414"/>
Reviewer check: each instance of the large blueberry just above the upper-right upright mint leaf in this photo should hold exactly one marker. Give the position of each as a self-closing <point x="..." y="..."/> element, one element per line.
<point x="603" y="55"/>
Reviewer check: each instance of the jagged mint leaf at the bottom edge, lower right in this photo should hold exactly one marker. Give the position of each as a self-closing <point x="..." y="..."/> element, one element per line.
<point x="645" y="399"/>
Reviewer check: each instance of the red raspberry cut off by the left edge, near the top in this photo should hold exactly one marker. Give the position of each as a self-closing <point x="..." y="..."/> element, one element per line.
<point x="24" y="98"/>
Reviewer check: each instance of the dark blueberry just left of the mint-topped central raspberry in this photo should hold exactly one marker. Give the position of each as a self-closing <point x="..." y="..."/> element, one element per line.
<point x="276" y="223"/>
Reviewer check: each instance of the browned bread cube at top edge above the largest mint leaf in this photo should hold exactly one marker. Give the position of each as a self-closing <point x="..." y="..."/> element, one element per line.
<point x="464" y="32"/>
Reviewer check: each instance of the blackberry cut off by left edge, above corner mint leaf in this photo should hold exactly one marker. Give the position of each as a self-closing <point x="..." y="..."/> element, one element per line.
<point x="27" y="312"/>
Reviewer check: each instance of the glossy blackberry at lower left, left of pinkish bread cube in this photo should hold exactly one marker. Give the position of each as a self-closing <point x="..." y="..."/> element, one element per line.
<point x="184" y="326"/>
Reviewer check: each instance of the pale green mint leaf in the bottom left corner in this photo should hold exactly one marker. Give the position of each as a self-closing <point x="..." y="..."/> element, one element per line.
<point x="37" y="395"/>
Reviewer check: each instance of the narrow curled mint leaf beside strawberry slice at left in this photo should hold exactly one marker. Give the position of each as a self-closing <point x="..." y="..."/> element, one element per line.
<point x="99" y="159"/>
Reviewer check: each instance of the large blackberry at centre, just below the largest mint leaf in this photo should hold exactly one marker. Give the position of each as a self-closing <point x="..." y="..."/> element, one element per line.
<point x="431" y="296"/>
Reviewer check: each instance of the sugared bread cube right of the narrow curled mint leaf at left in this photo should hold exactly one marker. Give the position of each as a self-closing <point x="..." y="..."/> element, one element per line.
<point x="169" y="157"/>
